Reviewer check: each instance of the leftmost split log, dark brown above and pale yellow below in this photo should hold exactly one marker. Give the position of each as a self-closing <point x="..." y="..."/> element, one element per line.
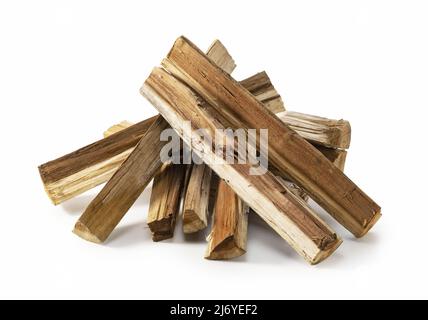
<point x="83" y="169"/>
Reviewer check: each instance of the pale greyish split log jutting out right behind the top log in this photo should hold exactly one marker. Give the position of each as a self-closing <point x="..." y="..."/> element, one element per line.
<point x="327" y="132"/>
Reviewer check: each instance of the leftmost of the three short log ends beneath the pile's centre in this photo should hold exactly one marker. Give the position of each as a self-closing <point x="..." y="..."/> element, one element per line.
<point x="165" y="200"/>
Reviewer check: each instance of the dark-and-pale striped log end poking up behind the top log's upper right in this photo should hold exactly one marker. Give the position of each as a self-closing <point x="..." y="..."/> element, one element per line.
<point x="263" y="90"/>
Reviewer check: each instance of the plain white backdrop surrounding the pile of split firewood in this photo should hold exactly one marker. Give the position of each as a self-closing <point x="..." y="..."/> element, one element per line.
<point x="70" y="69"/>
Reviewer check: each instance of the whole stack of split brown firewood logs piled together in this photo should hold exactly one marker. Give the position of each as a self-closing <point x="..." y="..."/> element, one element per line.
<point x="306" y="157"/>
